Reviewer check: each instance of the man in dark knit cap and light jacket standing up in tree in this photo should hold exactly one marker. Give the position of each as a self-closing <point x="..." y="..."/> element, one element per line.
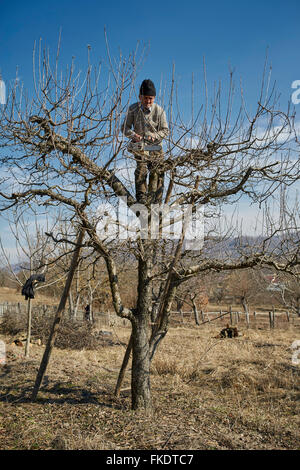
<point x="146" y="123"/>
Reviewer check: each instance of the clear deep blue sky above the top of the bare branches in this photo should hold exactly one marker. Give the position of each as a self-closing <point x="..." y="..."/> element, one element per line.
<point x="233" y="34"/>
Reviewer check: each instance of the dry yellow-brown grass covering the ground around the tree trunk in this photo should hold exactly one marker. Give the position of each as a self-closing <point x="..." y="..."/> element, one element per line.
<point x="208" y="393"/>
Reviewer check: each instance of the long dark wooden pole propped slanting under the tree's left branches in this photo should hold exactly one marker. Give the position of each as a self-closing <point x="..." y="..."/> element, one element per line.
<point x="58" y="317"/>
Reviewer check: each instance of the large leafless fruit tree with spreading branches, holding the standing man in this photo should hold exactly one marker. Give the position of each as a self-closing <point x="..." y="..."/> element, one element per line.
<point x="64" y="147"/>
